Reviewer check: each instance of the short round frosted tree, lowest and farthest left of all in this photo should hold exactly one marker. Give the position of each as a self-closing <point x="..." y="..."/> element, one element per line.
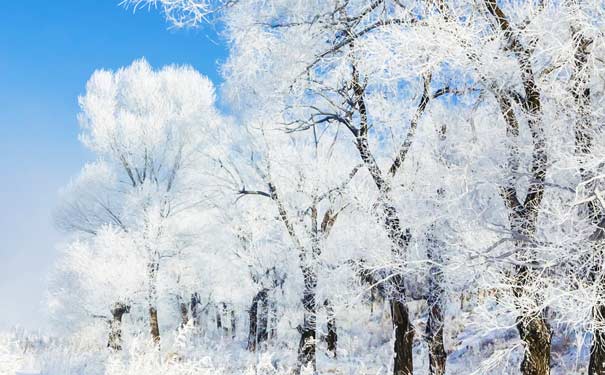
<point x="84" y="291"/>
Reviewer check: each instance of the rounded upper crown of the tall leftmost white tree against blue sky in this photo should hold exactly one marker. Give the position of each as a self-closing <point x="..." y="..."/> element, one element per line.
<point x="146" y="121"/>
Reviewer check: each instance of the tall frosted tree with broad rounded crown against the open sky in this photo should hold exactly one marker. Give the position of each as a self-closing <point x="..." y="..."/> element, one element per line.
<point x="149" y="130"/>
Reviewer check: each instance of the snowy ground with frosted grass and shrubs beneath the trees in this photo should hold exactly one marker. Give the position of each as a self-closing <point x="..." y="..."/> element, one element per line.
<point x="364" y="348"/>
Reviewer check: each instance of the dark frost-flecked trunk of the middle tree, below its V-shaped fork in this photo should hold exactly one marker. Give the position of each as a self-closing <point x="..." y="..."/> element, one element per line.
<point x="306" y="346"/>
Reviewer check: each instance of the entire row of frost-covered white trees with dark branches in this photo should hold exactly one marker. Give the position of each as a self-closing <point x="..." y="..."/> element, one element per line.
<point x="422" y="150"/>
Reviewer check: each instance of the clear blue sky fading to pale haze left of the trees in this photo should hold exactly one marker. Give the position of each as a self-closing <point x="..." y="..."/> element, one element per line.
<point x="48" y="49"/>
